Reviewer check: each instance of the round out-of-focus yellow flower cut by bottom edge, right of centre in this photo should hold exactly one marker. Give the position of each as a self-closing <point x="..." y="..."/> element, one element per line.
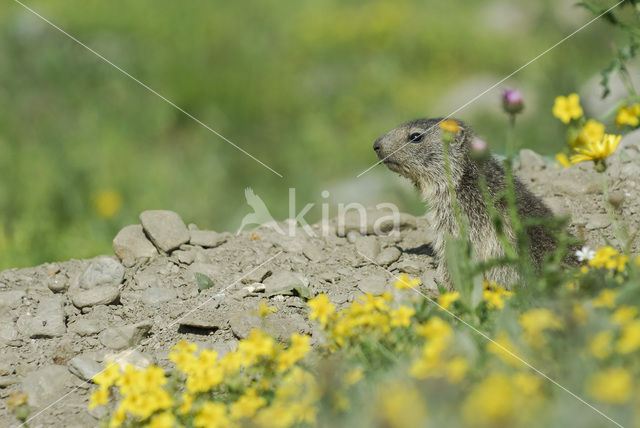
<point x="401" y="405"/>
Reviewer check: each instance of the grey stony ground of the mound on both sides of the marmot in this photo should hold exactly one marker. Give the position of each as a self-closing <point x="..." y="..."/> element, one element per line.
<point x="167" y="281"/>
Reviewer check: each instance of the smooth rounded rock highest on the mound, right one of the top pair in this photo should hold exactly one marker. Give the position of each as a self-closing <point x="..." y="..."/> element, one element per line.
<point x="165" y="228"/>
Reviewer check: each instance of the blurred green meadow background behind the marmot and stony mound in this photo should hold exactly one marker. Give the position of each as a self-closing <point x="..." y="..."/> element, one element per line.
<point x="303" y="86"/>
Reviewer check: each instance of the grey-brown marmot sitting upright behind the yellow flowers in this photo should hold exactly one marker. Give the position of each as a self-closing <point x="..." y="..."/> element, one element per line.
<point x="415" y="150"/>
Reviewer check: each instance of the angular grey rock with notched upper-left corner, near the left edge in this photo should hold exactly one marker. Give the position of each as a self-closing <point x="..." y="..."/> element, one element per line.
<point x="48" y="320"/>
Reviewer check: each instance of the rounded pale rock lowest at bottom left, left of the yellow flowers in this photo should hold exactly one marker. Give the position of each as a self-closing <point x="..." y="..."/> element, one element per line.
<point x="46" y="385"/>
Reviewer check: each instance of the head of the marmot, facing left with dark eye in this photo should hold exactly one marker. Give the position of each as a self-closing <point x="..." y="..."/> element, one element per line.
<point x="416" y="151"/>
